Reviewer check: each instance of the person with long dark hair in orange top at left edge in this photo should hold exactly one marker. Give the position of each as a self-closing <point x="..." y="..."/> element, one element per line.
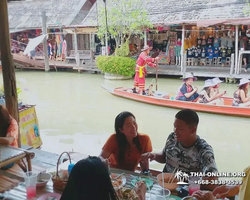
<point x="8" y="128"/>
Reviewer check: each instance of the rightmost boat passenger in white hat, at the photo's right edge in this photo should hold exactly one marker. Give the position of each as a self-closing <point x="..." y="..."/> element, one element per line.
<point x="240" y="95"/>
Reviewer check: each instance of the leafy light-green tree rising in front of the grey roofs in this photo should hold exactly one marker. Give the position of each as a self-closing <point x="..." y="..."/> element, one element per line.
<point x="124" y="18"/>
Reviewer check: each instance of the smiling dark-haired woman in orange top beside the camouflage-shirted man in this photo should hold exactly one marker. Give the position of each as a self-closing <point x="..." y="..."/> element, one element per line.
<point x="124" y="148"/>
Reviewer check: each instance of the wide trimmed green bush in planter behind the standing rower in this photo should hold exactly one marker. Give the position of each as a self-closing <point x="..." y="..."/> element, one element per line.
<point x="116" y="65"/>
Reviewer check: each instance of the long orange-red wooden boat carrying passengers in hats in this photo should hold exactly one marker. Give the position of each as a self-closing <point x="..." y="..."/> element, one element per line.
<point x="226" y="109"/>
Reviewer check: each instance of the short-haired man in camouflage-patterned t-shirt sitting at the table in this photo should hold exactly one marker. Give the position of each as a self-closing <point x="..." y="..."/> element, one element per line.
<point x="184" y="149"/>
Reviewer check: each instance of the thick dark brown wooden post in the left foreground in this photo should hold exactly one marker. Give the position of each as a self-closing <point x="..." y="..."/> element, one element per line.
<point x="9" y="78"/>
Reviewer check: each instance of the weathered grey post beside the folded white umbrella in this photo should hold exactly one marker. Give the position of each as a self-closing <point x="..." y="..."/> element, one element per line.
<point x="45" y="45"/>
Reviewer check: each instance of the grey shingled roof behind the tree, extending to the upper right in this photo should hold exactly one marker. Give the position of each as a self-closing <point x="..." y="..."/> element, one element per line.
<point x="186" y="11"/>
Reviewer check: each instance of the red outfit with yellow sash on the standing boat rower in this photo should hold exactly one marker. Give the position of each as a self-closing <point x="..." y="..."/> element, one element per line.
<point x="140" y="70"/>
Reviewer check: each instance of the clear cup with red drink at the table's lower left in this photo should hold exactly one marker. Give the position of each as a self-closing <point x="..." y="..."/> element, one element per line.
<point x="30" y="182"/>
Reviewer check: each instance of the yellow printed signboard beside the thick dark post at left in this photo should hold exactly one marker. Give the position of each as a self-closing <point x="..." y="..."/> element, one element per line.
<point x="29" y="128"/>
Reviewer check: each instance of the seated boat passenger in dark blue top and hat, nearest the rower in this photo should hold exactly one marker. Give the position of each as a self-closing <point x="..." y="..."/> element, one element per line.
<point x="187" y="92"/>
